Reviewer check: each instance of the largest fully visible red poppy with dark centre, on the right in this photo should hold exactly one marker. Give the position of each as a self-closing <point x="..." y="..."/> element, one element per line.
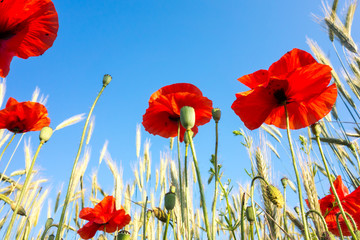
<point x="297" y="80"/>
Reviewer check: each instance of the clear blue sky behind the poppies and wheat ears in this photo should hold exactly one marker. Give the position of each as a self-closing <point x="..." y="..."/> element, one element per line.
<point x="145" y="45"/>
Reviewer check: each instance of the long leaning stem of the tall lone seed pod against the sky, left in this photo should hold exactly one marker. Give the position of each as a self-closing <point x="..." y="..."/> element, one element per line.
<point x="68" y="192"/>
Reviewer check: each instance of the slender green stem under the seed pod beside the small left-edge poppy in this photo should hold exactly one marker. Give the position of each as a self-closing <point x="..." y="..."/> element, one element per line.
<point x="22" y="193"/>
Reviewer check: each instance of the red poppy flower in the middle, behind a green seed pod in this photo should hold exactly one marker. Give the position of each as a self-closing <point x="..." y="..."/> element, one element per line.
<point x="163" y="114"/>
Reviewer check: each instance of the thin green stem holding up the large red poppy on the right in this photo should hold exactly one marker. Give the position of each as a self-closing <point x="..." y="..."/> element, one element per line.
<point x="306" y="229"/>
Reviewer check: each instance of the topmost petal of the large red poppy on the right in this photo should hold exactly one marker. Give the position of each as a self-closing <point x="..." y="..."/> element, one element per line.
<point x="290" y="61"/>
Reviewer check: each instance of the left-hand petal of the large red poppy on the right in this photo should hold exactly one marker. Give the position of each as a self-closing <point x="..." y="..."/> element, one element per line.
<point x="254" y="106"/>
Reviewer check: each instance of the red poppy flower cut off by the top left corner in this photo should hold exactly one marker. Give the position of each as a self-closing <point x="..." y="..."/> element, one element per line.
<point x="27" y="28"/>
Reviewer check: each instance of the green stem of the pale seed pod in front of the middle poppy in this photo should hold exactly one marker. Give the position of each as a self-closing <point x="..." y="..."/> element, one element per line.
<point x="201" y="188"/>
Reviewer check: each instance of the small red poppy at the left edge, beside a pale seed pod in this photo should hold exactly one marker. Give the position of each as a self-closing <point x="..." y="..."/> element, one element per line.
<point x="23" y="117"/>
